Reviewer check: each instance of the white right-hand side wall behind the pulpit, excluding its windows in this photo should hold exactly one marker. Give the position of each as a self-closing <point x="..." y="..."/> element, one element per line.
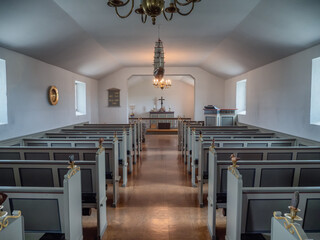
<point x="278" y="95"/>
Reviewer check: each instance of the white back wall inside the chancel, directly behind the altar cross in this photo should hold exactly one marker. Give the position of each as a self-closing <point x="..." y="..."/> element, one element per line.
<point x="180" y="97"/>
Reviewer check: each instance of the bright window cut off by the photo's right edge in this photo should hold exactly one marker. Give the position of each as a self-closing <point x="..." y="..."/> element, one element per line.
<point x="315" y="90"/>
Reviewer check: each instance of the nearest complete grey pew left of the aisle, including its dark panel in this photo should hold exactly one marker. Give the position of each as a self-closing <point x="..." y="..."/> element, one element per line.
<point x="48" y="210"/>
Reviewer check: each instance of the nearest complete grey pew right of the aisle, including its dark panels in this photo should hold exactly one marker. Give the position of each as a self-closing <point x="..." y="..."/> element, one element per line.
<point x="250" y="209"/>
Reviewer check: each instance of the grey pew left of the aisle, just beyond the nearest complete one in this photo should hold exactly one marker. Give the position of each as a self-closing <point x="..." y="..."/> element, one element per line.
<point x="40" y="173"/>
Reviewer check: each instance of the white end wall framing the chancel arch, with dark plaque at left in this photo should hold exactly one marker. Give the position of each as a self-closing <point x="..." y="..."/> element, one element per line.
<point x="209" y="89"/>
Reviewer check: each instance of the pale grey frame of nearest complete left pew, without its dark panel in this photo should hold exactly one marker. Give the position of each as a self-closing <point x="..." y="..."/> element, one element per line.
<point x="68" y="198"/>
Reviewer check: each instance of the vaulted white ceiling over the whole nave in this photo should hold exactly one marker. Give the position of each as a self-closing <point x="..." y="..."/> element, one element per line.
<point x="225" y="38"/>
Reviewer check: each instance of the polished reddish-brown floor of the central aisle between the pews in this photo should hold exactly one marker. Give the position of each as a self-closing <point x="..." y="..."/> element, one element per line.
<point x="159" y="202"/>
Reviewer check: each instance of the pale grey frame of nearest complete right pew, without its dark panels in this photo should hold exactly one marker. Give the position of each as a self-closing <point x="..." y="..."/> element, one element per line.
<point x="240" y="198"/>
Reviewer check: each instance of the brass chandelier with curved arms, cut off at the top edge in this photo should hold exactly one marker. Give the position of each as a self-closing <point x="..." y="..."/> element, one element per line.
<point x="153" y="8"/>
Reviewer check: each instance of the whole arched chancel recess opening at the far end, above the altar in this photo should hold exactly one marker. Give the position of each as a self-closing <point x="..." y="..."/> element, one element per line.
<point x="143" y="97"/>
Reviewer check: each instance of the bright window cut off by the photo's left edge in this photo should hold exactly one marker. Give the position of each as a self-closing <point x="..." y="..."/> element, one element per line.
<point x="3" y="93"/>
